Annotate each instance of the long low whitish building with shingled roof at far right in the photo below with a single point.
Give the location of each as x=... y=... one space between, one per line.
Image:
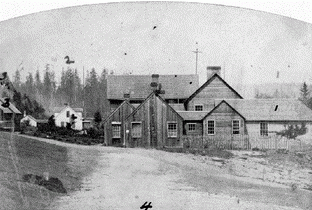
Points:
x=267 y=117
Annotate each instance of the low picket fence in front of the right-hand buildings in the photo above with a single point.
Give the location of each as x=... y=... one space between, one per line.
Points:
x=245 y=142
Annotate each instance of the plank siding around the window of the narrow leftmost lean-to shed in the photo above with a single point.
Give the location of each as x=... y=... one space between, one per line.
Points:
x=119 y=116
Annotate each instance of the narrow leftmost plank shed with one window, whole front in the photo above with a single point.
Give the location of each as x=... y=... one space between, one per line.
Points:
x=114 y=124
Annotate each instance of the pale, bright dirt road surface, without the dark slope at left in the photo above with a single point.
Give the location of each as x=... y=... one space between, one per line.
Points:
x=127 y=178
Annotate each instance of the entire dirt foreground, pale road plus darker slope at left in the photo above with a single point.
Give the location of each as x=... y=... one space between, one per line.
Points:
x=98 y=177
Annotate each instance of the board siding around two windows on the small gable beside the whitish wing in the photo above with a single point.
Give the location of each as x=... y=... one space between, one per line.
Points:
x=223 y=117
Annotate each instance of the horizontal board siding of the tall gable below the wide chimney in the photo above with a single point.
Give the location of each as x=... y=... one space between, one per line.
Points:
x=215 y=90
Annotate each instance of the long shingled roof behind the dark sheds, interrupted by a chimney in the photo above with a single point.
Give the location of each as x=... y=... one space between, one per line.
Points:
x=175 y=86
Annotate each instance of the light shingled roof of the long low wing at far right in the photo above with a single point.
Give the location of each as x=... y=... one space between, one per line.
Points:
x=271 y=109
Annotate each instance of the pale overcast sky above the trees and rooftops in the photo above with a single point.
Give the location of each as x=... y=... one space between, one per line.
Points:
x=145 y=38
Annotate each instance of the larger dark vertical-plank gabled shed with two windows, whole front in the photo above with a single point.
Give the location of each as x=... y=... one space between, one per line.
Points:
x=154 y=124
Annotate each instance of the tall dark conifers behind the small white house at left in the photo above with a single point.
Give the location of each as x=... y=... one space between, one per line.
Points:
x=41 y=91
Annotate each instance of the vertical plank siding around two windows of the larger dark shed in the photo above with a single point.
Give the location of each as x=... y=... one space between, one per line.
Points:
x=154 y=115
